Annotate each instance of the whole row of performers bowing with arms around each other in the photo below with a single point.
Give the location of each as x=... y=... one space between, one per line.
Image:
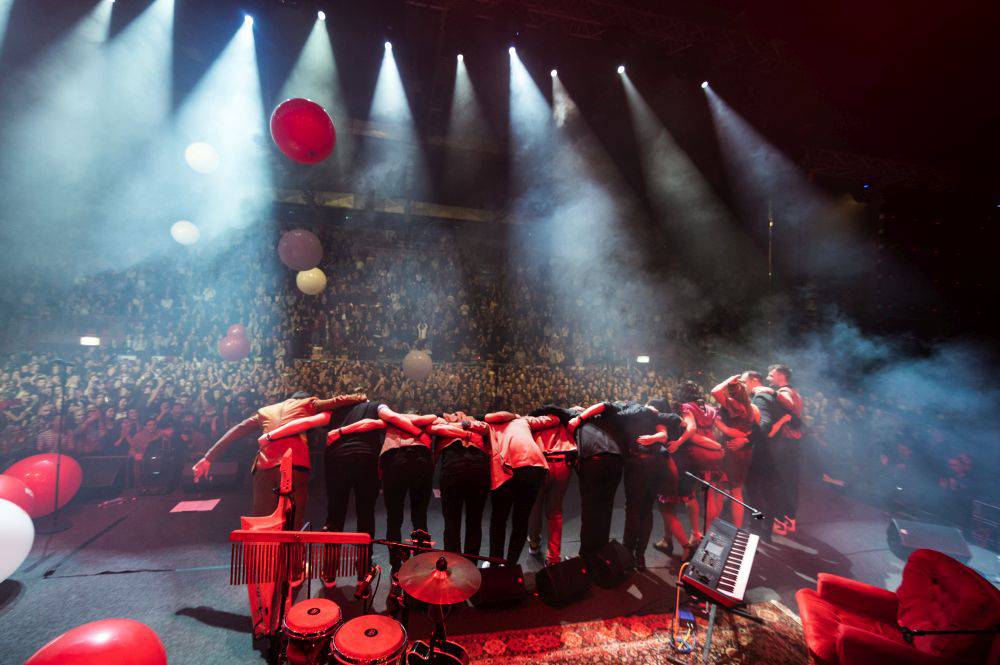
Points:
x=522 y=464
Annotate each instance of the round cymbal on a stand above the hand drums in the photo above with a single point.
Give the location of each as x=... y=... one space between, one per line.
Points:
x=440 y=578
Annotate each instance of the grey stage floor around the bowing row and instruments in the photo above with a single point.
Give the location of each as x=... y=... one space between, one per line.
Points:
x=169 y=570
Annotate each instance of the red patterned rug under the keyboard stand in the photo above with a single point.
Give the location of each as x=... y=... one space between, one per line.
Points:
x=645 y=639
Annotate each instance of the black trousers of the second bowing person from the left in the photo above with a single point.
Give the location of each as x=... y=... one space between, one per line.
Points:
x=348 y=472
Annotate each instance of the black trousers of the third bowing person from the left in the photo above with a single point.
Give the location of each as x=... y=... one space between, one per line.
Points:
x=406 y=471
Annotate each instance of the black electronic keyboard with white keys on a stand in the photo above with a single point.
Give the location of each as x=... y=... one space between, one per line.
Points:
x=720 y=568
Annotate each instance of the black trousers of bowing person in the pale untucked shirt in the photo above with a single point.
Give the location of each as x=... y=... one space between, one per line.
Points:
x=514 y=499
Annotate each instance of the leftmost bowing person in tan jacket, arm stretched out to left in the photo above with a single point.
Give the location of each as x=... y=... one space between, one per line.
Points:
x=265 y=466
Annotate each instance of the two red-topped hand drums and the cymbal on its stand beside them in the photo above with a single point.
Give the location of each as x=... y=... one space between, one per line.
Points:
x=316 y=635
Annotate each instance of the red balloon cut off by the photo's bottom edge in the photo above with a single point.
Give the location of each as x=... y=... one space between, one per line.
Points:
x=104 y=641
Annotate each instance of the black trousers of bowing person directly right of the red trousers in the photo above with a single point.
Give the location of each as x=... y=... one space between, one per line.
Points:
x=599 y=478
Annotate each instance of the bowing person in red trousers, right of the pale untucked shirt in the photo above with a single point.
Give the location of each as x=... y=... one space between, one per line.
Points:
x=559 y=447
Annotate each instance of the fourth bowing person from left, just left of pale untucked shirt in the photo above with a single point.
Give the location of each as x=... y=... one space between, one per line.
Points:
x=464 y=480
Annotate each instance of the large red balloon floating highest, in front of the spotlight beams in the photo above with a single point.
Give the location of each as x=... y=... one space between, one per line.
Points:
x=302 y=130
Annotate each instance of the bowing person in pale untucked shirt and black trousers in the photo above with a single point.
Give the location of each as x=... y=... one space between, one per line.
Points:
x=518 y=469
